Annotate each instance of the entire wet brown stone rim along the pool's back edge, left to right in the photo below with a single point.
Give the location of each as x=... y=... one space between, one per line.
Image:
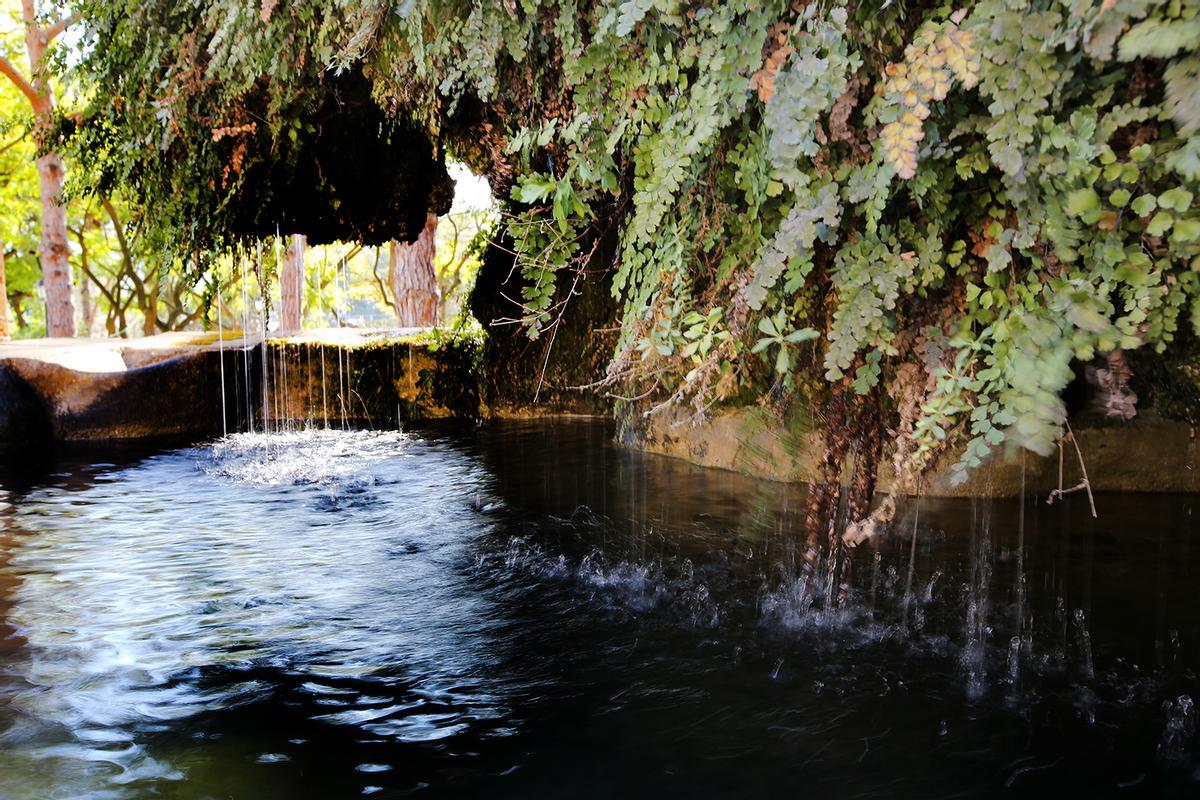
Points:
x=172 y=389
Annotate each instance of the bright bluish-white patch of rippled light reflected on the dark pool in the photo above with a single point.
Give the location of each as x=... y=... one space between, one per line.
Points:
x=321 y=567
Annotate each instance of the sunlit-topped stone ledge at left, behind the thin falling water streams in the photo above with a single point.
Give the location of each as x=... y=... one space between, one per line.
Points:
x=188 y=392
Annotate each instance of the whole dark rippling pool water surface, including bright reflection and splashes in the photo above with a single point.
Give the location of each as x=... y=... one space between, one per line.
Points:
x=524 y=610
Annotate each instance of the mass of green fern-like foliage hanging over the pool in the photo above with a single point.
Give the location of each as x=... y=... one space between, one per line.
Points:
x=937 y=208
